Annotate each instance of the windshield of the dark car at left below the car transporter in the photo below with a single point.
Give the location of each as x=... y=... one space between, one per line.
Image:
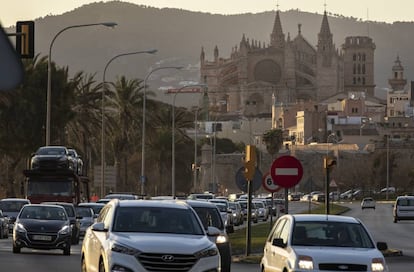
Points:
x=43 y=213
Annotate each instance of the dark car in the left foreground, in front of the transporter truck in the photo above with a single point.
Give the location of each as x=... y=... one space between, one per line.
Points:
x=41 y=226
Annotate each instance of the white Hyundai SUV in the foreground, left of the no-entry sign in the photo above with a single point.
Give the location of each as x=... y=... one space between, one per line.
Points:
x=149 y=235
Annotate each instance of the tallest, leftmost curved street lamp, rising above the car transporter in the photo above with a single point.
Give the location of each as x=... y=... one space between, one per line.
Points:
x=49 y=73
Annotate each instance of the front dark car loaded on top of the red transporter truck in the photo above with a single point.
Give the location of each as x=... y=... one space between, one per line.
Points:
x=52 y=158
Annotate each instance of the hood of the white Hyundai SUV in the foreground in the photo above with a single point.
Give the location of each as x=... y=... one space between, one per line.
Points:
x=159 y=242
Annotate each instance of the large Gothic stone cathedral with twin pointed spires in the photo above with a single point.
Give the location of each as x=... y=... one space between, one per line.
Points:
x=286 y=71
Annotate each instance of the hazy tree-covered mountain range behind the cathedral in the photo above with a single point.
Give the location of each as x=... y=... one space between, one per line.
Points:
x=179 y=35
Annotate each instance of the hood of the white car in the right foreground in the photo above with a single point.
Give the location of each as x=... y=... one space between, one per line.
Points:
x=339 y=254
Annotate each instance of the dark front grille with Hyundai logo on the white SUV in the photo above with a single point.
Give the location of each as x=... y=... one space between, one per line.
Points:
x=166 y=262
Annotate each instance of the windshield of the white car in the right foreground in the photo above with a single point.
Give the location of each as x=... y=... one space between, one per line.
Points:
x=335 y=234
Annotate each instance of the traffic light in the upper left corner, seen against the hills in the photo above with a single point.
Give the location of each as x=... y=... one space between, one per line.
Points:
x=25 y=39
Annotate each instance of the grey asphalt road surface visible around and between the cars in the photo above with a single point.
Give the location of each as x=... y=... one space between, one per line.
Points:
x=378 y=221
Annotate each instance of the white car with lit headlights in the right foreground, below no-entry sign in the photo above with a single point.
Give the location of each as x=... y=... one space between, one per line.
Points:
x=318 y=242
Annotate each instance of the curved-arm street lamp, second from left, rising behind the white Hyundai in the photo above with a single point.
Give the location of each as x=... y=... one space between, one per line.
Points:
x=151 y=51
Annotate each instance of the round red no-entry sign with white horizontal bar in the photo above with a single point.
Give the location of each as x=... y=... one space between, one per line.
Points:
x=286 y=171
